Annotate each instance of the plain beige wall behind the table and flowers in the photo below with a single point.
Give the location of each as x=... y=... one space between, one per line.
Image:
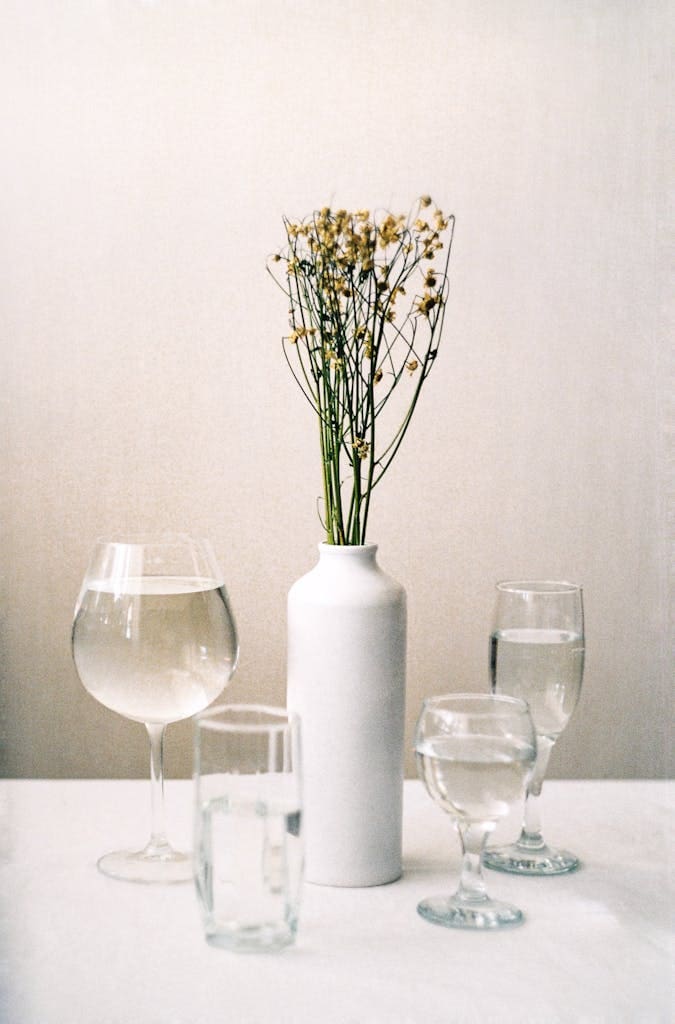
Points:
x=149 y=153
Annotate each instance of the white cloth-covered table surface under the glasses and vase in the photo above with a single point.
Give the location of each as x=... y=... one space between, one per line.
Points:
x=79 y=948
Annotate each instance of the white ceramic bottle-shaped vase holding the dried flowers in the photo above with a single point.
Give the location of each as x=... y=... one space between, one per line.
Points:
x=347 y=678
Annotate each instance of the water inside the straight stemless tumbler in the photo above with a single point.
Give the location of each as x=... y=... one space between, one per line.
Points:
x=248 y=867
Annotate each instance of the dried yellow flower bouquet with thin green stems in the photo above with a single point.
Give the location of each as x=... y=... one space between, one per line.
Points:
x=348 y=277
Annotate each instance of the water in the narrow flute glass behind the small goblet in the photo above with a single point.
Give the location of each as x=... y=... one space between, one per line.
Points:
x=542 y=667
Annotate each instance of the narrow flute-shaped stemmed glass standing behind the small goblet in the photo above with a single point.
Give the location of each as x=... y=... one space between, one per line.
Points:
x=537 y=654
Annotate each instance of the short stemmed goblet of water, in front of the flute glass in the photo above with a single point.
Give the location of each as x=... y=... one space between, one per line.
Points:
x=475 y=755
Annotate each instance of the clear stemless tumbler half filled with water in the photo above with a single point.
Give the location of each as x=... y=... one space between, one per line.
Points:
x=248 y=826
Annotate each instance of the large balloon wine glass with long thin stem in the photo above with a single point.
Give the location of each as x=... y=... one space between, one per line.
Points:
x=154 y=639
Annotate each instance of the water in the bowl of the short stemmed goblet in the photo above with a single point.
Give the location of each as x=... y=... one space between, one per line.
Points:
x=476 y=779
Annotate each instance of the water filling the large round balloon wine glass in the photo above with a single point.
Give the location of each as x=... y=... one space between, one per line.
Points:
x=158 y=653
